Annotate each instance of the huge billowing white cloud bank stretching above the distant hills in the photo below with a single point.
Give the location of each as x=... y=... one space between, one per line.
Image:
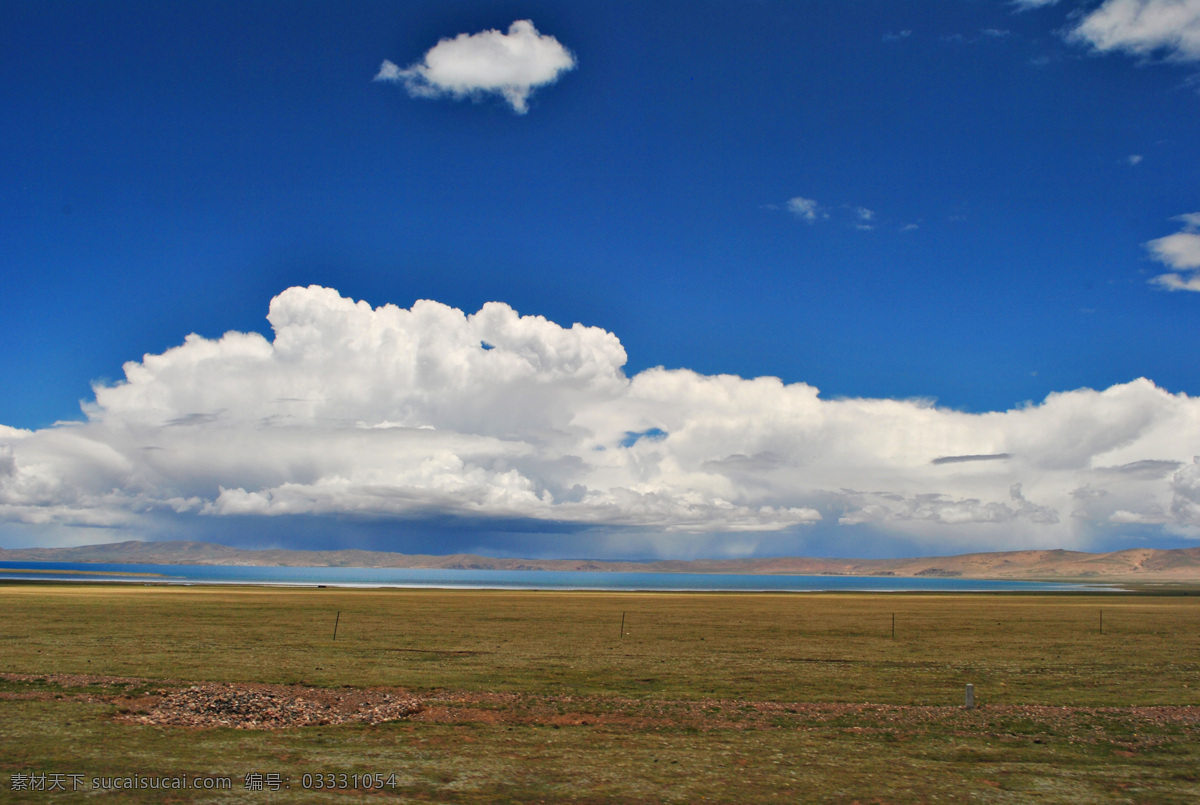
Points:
x=429 y=412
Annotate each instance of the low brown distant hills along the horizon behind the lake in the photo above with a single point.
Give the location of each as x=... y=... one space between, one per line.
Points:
x=1136 y=564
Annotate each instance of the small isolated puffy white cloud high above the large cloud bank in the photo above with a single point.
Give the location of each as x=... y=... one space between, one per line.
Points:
x=511 y=65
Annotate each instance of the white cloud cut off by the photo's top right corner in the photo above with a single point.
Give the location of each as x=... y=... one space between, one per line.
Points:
x=1144 y=28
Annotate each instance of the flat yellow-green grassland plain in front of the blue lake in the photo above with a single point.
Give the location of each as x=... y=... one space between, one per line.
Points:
x=541 y=698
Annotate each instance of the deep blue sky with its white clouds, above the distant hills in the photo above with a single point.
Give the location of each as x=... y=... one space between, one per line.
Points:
x=957 y=207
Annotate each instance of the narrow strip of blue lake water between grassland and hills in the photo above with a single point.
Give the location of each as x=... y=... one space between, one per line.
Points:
x=507 y=580
